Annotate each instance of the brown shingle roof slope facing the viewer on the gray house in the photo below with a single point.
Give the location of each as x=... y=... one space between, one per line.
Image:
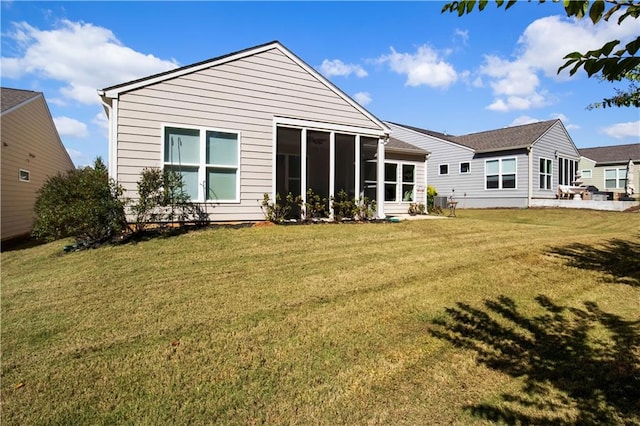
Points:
x=506 y=138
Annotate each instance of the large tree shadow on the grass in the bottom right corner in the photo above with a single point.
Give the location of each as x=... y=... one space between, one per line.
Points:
x=577 y=366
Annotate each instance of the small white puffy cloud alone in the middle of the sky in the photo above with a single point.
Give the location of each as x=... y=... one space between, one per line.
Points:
x=424 y=67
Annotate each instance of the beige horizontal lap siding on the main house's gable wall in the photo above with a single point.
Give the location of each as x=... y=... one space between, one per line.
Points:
x=244 y=96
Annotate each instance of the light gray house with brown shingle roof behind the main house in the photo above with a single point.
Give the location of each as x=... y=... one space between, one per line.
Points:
x=509 y=167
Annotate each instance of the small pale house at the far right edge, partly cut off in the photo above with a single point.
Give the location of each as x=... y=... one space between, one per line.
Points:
x=605 y=167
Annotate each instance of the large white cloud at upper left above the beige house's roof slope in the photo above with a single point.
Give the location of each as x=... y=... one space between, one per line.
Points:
x=82 y=56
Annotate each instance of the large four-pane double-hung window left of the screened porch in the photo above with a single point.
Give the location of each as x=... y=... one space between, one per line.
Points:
x=206 y=159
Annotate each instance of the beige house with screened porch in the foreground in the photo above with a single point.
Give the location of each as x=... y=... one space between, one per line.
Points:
x=239 y=126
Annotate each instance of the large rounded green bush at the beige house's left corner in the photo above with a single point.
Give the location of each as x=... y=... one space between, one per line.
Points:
x=83 y=203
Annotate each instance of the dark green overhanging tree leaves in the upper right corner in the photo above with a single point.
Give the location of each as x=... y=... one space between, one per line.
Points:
x=612 y=61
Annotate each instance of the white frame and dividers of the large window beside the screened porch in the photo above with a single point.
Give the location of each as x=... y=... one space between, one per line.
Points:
x=202 y=164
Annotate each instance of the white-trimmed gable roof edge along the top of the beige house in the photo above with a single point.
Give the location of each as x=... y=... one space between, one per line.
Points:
x=114 y=91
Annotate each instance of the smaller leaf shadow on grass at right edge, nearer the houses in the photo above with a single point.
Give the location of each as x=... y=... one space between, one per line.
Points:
x=619 y=258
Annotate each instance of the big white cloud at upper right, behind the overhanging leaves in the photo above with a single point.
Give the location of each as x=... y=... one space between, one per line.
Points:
x=516 y=83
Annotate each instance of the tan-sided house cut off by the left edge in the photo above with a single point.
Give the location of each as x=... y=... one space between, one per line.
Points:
x=31 y=152
